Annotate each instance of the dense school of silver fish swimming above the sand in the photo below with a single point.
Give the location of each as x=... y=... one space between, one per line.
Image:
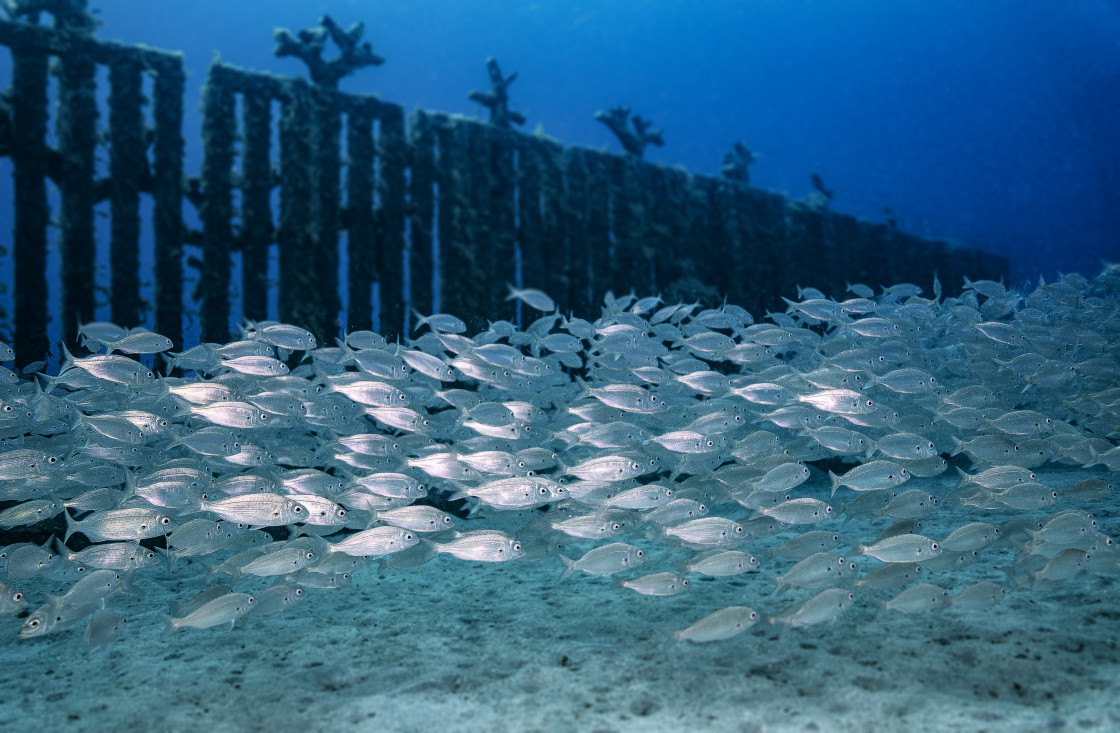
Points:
x=809 y=449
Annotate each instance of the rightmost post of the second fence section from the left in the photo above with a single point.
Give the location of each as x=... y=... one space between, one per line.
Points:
x=393 y=152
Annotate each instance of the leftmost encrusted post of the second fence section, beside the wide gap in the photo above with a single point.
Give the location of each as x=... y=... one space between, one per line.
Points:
x=219 y=132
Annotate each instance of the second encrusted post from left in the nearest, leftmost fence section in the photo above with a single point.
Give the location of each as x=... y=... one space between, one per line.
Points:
x=78 y=141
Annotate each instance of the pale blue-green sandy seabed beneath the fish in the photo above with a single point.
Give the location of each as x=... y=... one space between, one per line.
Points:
x=455 y=646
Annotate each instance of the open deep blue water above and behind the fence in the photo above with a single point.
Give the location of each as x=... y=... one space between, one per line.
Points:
x=993 y=123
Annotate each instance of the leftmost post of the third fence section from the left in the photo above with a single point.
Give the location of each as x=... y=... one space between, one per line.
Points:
x=423 y=147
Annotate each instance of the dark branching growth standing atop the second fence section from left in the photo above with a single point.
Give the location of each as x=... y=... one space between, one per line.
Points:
x=309 y=45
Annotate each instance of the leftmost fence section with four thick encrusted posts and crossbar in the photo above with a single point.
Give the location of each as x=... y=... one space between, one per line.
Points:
x=72 y=168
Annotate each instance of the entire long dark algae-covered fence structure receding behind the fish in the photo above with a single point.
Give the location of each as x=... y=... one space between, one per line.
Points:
x=437 y=212
